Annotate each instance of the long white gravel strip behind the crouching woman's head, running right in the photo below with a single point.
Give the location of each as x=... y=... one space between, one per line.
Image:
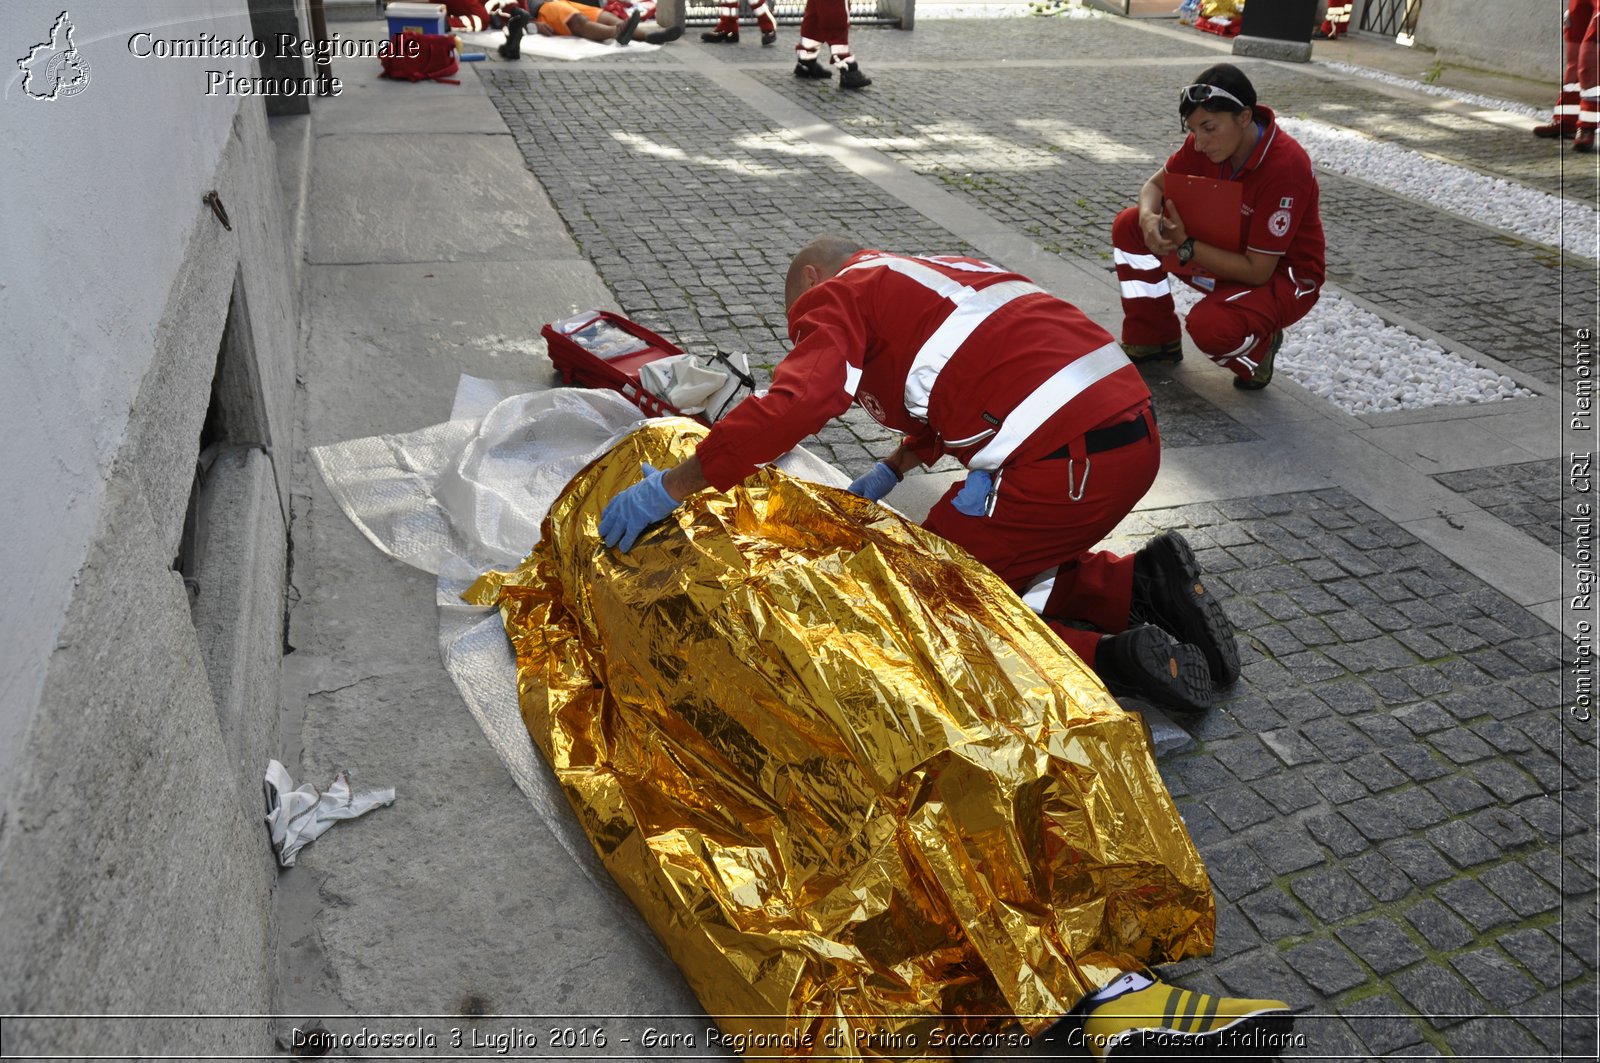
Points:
x=1495 y=203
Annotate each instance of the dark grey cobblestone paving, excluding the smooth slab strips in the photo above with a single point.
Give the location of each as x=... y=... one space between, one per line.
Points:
x=1394 y=806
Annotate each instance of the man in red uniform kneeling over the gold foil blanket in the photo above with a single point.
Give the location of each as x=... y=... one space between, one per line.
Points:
x=1041 y=406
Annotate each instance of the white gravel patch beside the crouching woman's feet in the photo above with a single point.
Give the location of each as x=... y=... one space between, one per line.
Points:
x=1362 y=364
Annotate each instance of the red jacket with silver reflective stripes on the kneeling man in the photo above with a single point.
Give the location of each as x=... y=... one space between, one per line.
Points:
x=945 y=350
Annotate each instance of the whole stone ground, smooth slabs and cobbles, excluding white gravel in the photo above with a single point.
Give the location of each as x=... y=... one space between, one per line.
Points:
x=1396 y=804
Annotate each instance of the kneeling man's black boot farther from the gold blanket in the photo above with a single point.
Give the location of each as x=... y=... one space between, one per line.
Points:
x=1169 y=593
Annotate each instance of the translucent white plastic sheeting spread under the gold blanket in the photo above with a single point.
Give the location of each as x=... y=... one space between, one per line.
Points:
x=470 y=495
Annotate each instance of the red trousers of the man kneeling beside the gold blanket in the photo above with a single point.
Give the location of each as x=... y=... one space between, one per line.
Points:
x=1047 y=518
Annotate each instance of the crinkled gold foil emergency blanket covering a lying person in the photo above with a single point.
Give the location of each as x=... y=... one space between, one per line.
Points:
x=870 y=803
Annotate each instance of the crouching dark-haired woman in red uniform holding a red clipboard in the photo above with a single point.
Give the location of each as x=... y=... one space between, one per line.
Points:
x=1252 y=295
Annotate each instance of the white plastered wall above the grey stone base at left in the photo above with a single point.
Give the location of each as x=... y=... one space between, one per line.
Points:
x=89 y=252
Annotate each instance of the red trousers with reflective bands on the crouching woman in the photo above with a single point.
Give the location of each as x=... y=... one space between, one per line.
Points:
x=1231 y=326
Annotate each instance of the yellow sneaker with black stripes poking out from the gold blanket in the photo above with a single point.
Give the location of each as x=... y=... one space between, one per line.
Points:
x=1166 y=1022
